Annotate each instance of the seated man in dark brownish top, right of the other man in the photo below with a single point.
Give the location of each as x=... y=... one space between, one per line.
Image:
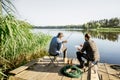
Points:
x=92 y=53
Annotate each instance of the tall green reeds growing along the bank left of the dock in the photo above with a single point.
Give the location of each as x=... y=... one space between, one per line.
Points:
x=18 y=45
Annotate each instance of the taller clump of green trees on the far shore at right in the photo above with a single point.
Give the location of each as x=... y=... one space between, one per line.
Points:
x=105 y=23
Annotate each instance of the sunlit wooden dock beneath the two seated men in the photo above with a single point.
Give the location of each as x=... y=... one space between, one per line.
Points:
x=40 y=70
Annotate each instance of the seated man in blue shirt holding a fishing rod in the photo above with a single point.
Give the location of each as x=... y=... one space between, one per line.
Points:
x=56 y=45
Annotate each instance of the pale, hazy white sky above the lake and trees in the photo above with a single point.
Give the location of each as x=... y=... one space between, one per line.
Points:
x=65 y=12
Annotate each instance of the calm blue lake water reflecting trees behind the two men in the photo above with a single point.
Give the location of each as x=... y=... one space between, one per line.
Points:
x=108 y=42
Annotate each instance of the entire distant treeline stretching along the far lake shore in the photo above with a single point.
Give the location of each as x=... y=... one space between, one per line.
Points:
x=105 y=23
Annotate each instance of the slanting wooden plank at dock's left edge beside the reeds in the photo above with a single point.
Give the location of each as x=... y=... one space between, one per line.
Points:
x=20 y=69
